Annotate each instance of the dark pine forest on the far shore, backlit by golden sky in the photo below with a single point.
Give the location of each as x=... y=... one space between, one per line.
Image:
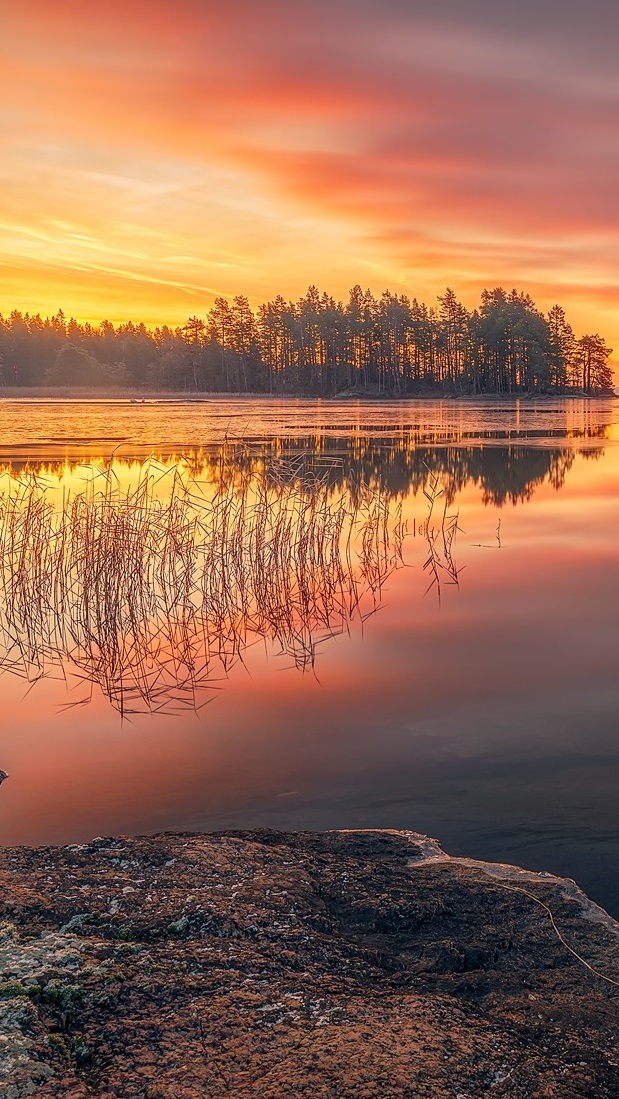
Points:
x=390 y=346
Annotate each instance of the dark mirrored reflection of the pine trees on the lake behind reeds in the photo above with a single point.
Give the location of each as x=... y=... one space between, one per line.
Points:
x=390 y=464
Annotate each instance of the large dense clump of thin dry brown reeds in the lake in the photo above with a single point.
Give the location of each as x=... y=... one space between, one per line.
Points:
x=152 y=594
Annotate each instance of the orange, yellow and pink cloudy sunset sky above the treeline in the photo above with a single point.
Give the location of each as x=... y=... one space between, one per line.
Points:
x=156 y=156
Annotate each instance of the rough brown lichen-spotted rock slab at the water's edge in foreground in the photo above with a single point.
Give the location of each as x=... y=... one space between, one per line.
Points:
x=264 y=965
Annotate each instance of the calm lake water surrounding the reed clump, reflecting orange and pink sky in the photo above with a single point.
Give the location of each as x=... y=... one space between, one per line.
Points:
x=488 y=718
